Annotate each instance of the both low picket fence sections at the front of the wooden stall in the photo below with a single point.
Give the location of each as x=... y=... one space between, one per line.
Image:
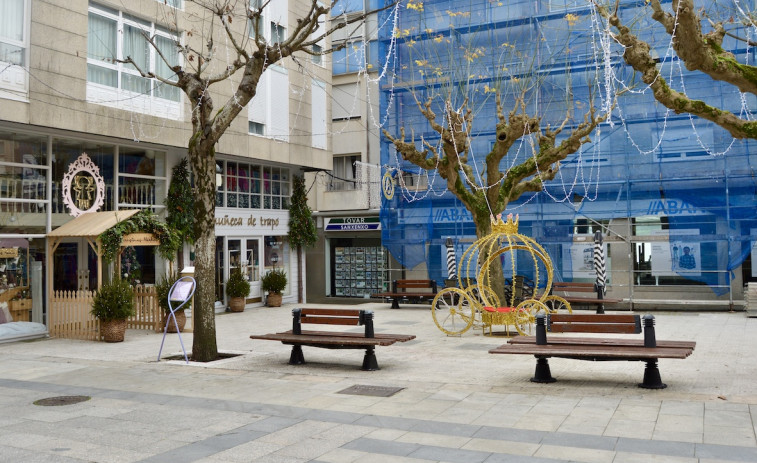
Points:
x=70 y=315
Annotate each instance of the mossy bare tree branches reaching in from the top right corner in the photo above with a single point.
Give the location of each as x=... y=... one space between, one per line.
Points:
x=685 y=22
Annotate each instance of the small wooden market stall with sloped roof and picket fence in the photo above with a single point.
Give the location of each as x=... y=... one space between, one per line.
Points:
x=69 y=311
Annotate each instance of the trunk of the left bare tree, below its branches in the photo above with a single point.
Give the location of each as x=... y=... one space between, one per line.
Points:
x=202 y=159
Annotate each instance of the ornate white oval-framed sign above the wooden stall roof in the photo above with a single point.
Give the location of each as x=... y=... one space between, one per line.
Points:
x=83 y=187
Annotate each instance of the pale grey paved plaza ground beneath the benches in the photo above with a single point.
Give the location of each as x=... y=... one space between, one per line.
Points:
x=456 y=402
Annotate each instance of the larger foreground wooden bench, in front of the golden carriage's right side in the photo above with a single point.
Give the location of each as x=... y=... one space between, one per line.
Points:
x=647 y=350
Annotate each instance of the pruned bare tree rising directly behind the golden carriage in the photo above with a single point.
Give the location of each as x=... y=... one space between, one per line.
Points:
x=477 y=79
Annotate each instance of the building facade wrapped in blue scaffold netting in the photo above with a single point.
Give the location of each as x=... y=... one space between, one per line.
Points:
x=672 y=194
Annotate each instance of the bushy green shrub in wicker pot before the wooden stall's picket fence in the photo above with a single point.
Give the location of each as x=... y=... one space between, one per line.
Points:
x=112 y=305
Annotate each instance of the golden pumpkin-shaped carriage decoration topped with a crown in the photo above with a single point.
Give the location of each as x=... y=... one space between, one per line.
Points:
x=456 y=309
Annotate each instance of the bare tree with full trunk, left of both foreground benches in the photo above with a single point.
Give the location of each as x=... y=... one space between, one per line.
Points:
x=238 y=23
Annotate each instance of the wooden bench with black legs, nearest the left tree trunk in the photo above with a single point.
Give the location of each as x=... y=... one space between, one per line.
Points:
x=334 y=339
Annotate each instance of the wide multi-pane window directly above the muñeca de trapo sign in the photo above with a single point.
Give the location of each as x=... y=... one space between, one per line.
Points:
x=249 y=186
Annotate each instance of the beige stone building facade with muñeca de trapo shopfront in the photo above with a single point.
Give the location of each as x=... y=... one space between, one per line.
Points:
x=65 y=92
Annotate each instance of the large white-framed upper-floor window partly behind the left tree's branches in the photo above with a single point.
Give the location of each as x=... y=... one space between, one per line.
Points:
x=112 y=36
